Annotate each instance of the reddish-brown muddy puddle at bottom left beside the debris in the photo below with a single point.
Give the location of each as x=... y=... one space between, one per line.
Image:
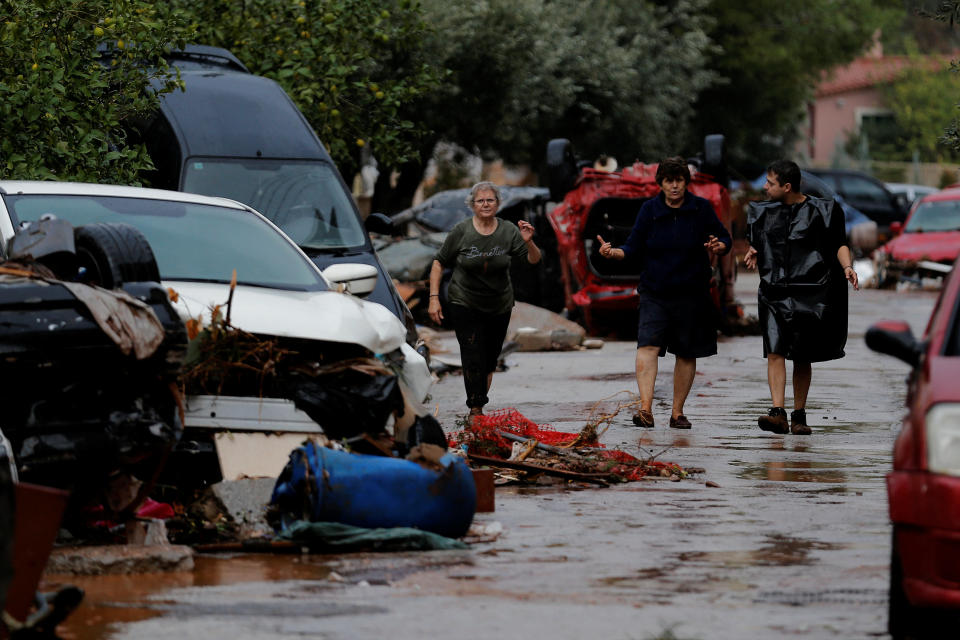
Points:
x=114 y=599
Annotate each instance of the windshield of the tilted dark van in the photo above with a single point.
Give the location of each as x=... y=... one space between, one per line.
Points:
x=305 y=199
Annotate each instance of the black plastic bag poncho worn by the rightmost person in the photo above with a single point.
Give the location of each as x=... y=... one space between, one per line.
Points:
x=803 y=292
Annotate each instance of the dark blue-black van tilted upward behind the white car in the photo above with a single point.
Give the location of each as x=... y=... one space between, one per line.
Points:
x=238 y=135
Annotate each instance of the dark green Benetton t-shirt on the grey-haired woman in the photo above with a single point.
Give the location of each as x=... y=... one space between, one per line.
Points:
x=481 y=265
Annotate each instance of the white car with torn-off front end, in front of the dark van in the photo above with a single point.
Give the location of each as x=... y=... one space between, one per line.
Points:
x=198 y=242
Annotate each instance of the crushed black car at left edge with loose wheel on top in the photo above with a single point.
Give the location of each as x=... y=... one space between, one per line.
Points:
x=88 y=372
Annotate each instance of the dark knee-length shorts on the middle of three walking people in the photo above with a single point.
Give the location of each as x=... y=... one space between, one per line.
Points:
x=685 y=325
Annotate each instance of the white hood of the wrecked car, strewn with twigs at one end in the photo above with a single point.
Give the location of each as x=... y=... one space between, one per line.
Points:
x=314 y=315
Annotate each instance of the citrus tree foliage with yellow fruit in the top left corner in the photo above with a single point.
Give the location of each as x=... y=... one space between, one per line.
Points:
x=62 y=112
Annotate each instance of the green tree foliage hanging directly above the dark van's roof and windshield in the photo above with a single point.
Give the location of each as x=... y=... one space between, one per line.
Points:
x=349 y=65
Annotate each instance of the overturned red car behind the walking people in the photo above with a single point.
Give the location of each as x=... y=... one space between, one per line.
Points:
x=598 y=202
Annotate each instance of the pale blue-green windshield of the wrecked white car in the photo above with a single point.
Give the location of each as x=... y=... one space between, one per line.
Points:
x=192 y=242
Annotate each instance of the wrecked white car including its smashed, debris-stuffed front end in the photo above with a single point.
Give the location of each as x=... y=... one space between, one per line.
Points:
x=337 y=363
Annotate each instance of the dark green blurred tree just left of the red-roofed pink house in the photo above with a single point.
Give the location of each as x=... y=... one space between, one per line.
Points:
x=772 y=55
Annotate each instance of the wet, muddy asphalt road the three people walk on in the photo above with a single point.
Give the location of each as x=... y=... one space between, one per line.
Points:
x=793 y=543
